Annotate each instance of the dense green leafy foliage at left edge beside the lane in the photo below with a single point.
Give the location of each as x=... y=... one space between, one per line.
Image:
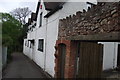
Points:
x=11 y=32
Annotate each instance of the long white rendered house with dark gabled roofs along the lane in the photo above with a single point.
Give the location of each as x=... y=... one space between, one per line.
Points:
x=46 y=32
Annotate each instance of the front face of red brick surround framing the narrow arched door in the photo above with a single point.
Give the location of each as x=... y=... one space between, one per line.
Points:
x=57 y=58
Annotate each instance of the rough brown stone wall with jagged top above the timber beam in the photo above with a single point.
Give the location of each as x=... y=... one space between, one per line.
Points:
x=101 y=18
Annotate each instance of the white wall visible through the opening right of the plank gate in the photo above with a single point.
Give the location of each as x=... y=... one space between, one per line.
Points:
x=110 y=55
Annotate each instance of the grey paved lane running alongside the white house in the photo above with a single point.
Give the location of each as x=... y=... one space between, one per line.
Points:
x=22 y=67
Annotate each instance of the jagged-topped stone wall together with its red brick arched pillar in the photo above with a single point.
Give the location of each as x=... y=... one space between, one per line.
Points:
x=102 y=18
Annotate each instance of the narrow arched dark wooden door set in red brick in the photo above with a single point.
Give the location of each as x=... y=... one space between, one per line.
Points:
x=62 y=51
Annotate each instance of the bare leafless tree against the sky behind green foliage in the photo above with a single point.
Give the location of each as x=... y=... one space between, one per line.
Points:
x=21 y=14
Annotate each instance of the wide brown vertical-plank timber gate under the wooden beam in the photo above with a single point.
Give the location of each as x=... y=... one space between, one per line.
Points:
x=90 y=60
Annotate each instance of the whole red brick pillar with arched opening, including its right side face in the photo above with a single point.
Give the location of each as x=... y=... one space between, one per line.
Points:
x=69 y=59
